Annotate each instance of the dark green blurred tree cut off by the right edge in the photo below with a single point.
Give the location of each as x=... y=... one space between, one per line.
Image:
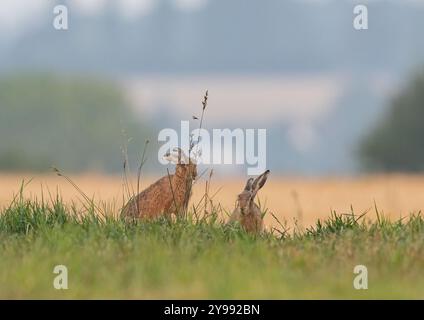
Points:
x=396 y=143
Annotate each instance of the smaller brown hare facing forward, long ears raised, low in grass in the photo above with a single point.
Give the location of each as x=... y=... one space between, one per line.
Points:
x=247 y=212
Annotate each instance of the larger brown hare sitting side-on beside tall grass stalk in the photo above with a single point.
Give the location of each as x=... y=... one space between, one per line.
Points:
x=168 y=195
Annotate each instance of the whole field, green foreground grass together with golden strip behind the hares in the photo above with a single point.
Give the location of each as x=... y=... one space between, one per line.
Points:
x=204 y=258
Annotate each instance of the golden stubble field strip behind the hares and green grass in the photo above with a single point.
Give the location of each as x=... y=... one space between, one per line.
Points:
x=289 y=198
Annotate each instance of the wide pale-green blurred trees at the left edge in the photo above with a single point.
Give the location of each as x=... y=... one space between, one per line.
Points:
x=75 y=123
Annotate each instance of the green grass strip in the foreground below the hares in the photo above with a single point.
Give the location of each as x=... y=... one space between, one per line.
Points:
x=203 y=259
